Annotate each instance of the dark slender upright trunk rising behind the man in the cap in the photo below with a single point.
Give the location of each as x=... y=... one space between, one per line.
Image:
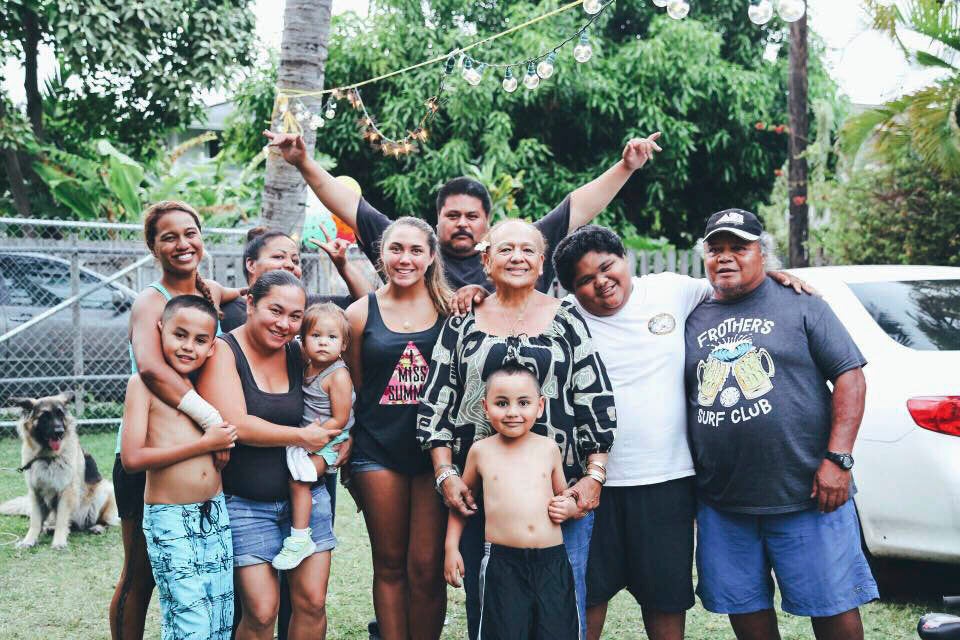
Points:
x=799 y=134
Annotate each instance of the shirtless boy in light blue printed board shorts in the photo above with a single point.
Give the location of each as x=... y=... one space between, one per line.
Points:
x=185 y=518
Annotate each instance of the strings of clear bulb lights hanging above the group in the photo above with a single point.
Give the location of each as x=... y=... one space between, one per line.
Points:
x=293 y=115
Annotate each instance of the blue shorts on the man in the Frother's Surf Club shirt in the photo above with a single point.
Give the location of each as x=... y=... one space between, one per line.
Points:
x=816 y=557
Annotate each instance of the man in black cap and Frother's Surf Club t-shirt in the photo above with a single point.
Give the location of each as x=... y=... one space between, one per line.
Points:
x=772 y=445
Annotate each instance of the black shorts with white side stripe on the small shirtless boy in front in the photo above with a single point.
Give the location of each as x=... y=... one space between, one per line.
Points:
x=527 y=594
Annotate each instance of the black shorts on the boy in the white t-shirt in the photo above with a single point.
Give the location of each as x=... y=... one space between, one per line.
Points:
x=643 y=542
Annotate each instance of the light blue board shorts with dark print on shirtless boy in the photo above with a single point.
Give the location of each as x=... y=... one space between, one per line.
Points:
x=191 y=554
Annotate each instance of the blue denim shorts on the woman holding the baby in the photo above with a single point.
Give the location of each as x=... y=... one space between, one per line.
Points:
x=259 y=528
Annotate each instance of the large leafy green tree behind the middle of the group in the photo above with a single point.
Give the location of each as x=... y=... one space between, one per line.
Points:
x=701 y=81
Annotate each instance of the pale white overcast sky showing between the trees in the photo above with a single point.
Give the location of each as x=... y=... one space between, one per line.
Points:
x=867 y=66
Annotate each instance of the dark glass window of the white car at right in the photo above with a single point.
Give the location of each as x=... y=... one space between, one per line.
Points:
x=920 y=314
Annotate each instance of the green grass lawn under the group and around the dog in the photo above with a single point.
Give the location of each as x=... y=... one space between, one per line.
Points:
x=65 y=595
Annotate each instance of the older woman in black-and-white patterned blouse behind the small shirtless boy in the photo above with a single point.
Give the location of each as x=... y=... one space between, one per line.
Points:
x=551 y=338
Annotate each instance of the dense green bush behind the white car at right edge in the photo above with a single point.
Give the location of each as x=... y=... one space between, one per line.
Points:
x=902 y=213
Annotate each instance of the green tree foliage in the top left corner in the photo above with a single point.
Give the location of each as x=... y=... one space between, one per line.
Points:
x=126 y=70
